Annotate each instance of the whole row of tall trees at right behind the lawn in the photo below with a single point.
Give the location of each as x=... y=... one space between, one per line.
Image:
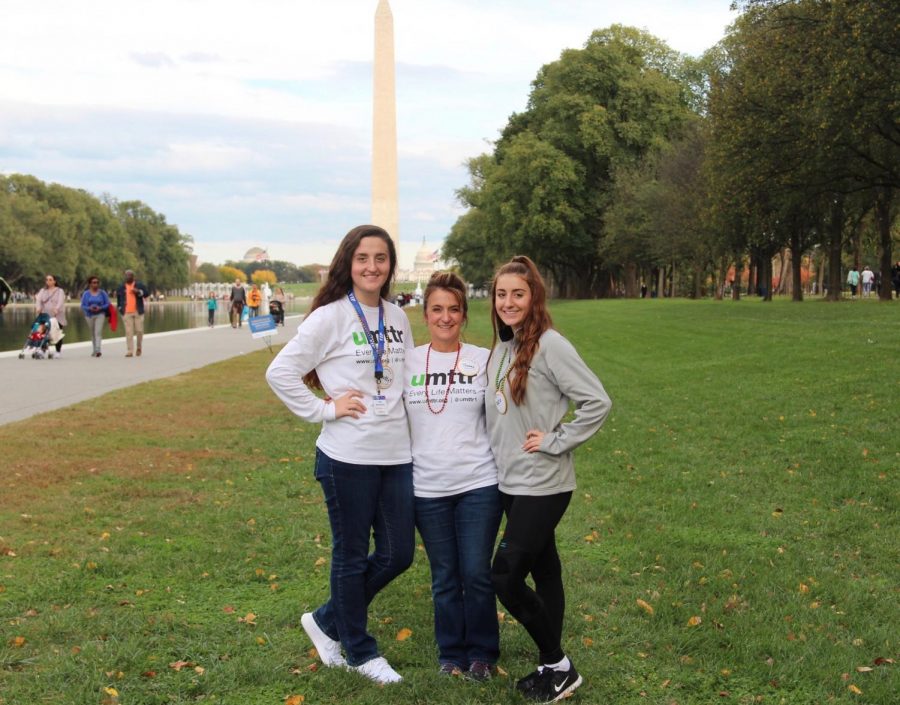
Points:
x=635 y=165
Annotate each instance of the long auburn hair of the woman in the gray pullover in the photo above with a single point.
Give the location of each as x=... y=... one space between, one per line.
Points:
x=537 y=321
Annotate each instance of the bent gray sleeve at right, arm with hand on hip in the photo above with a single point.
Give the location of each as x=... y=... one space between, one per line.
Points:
x=576 y=381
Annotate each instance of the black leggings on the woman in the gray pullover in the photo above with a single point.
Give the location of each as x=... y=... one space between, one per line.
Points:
x=528 y=546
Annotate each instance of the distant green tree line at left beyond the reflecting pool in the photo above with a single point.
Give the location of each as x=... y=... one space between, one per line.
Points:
x=67 y=232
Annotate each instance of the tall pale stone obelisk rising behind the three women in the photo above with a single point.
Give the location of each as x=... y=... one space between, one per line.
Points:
x=385 y=210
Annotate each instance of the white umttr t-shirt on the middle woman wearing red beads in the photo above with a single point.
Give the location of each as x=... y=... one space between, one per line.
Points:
x=451 y=452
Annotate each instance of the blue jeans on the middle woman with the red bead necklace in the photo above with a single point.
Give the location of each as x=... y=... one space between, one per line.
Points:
x=459 y=533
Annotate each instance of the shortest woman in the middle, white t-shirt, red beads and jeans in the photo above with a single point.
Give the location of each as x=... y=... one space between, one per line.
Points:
x=457 y=502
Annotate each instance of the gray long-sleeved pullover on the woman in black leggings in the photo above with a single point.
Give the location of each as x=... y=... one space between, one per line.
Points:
x=557 y=376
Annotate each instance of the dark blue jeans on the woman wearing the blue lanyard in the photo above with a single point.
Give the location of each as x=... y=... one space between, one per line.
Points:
x=363 y=500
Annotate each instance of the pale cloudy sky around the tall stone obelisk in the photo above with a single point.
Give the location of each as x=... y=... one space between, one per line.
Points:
x=249 y=123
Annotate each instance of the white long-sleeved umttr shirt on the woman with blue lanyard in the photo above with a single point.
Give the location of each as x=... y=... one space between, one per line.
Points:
x=332 y=341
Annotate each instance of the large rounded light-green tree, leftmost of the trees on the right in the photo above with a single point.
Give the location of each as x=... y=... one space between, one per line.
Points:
x=546 y=187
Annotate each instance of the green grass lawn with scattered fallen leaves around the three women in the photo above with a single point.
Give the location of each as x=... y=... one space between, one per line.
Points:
x=744 y=490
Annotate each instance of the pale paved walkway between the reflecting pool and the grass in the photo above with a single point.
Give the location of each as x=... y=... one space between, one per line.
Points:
x=29 y=387
